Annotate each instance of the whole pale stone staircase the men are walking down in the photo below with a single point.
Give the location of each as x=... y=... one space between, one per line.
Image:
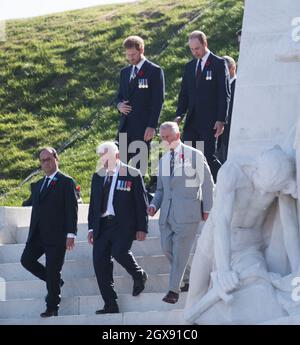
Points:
x=22 y=295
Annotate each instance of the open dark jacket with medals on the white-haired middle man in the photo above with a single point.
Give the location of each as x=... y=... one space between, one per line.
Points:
x=130 y=206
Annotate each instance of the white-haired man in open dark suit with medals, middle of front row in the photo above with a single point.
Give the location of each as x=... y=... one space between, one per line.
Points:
x=117 y=216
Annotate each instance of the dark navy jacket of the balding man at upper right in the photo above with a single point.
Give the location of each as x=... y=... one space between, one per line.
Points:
x=208 y=102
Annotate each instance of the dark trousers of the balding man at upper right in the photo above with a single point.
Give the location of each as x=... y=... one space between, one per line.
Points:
x=207 y=137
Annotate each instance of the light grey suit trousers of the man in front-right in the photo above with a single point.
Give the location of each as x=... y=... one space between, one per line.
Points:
x=177 y=241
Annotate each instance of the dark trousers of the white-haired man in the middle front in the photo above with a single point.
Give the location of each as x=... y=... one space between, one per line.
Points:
x=110 y=244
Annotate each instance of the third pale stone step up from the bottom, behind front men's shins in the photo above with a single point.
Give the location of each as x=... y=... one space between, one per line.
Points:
x=81 y=286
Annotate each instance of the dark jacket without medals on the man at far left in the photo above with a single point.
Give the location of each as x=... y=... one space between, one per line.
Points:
x=54 y=215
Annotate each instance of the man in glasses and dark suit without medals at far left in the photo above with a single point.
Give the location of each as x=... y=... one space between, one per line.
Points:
x=53 y=227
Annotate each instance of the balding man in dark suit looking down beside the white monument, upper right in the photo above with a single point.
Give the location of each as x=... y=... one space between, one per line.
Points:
x=204 y=96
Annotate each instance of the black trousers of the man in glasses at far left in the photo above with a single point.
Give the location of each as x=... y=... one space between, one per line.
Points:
x=51 y=272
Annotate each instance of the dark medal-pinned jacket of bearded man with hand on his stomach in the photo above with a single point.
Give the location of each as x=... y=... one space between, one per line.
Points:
x=146 y=102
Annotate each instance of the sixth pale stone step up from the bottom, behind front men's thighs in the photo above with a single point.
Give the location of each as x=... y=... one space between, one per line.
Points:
x=22 y=231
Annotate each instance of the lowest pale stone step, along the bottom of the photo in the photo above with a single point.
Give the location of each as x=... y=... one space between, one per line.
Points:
x=170 y=317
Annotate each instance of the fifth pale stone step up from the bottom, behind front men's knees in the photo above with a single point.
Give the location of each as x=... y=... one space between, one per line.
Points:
x=11 y=253
